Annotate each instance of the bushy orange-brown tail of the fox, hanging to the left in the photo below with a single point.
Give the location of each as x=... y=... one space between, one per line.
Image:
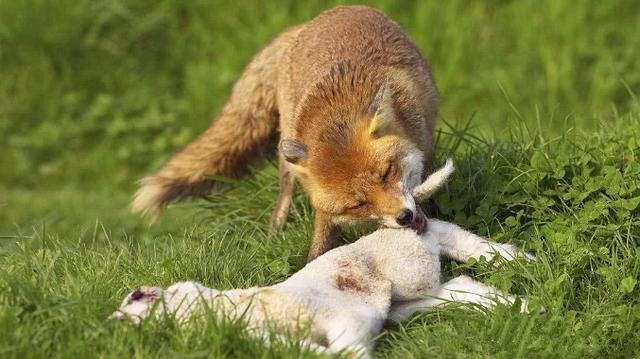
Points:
x=246 y=124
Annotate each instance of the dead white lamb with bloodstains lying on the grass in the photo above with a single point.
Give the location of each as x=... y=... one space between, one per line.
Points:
x=345 y=295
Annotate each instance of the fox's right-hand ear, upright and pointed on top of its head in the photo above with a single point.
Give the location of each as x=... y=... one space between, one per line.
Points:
x=384 y=120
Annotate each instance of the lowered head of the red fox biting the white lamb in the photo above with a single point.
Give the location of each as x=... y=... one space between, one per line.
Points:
x=357 y=164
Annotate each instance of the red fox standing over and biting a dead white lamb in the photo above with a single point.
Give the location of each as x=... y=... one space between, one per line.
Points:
x=354 y=104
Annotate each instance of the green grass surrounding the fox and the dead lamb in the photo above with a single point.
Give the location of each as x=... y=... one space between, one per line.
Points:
x=539 y=109
